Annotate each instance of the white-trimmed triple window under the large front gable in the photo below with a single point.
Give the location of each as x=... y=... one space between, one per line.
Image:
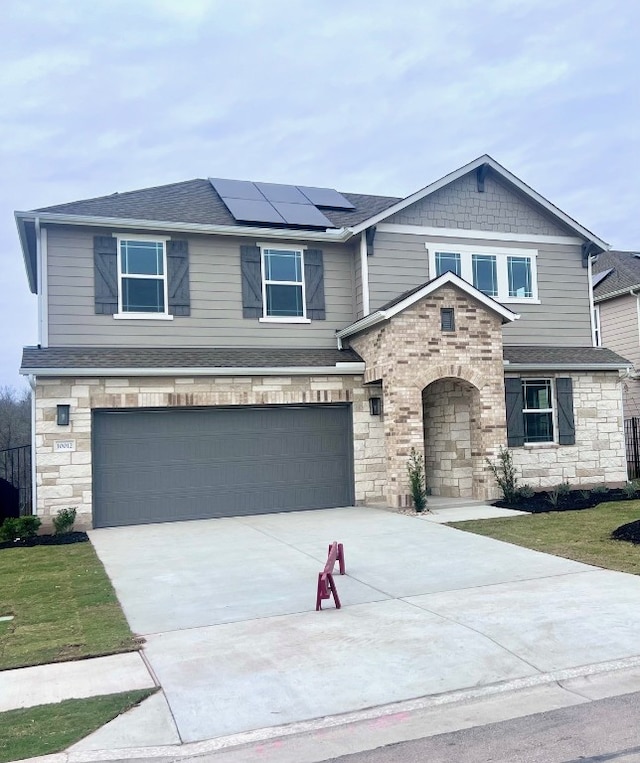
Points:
x=508 y=275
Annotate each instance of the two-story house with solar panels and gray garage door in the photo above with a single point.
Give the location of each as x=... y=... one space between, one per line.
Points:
x=216 y=347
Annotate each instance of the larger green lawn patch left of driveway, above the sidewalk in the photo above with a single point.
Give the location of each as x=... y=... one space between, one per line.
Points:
x=64 y=605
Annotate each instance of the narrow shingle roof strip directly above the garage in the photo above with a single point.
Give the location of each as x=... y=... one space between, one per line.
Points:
x=181 y=357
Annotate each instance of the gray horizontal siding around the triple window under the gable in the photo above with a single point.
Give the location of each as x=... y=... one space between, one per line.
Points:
x=401 y=262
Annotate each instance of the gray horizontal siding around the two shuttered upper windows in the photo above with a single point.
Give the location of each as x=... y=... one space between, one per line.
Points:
x=216 y=302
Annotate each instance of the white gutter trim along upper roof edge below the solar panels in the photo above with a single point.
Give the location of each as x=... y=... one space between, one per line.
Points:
x=338 y=235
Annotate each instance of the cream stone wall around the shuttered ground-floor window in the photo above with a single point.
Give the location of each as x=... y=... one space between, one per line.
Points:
x=599 y=452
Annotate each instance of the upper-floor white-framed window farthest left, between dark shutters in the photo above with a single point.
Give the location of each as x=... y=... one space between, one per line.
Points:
x=142 y=276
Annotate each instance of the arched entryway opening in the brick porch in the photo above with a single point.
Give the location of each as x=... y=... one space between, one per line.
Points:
x=451 y=412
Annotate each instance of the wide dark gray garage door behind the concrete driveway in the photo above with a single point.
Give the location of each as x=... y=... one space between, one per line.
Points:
x=163 y=465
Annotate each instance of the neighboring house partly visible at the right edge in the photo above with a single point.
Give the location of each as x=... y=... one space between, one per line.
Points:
x=616 y=296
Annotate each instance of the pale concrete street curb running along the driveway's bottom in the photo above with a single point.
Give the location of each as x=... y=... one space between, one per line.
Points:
x=174 y=752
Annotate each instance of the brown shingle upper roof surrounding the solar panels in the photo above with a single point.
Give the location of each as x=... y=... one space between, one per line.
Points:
x=195 y=201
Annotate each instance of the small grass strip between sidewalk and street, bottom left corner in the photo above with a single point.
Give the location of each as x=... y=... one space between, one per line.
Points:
x=45 y=729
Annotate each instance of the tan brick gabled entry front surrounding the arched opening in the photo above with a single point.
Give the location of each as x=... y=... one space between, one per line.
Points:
x=409 y=352
